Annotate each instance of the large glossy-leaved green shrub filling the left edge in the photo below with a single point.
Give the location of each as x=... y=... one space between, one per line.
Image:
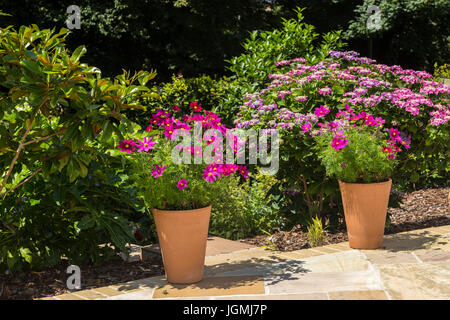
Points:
x=57 y=115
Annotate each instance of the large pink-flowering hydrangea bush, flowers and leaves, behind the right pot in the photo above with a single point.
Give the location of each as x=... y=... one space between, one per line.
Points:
x=302 y=98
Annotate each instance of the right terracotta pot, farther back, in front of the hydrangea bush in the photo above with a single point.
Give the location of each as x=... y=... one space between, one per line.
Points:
x=365 y=209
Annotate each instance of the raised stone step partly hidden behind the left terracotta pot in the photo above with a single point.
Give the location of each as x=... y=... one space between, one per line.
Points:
x=214 y=246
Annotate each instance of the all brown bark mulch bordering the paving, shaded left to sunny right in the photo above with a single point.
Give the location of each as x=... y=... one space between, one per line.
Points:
x=419 y=209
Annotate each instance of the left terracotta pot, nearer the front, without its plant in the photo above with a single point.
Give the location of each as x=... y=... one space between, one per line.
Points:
x=182 y=238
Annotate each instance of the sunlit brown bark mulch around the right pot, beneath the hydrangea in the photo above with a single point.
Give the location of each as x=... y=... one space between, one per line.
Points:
x=419 y=209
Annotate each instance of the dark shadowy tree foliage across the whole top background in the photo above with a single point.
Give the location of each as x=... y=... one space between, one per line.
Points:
x=197 y=36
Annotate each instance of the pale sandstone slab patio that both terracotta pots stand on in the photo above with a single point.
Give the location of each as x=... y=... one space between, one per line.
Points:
x=409 y=265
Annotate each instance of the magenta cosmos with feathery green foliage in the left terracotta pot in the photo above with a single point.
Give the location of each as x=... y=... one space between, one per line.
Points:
x=165 y=183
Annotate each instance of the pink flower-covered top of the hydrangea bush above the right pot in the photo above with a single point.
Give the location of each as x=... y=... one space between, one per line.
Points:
x=300 y=93
